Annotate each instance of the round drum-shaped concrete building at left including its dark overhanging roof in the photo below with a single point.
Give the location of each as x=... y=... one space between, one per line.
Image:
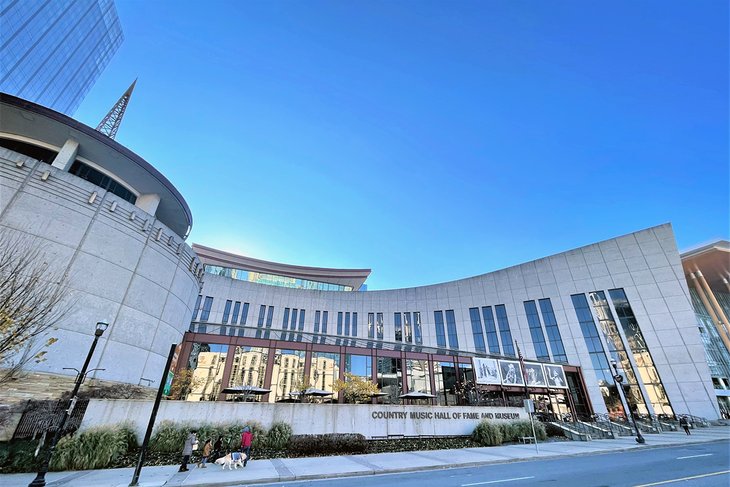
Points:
x=109 y=222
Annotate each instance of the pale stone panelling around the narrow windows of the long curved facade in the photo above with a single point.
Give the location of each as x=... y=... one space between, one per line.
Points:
x=645 y=264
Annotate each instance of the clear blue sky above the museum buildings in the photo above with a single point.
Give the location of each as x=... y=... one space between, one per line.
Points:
x=428 y=141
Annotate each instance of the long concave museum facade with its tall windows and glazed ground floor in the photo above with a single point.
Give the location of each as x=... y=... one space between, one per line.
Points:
x=623 y=299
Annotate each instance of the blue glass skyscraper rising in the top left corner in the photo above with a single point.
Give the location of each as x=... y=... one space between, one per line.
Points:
x=53 y=51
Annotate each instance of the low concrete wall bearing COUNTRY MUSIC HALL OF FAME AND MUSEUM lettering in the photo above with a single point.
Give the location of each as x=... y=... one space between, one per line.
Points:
x=369 y=420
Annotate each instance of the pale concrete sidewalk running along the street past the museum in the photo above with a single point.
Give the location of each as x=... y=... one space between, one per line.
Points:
x=277 y=470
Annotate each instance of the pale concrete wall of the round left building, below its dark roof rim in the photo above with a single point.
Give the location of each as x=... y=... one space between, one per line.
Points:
x=131 y=271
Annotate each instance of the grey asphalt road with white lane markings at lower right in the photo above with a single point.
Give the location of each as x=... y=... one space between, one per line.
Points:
x=705 y=464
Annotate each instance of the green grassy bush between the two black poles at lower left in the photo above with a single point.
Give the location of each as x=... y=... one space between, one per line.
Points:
x=93 y=448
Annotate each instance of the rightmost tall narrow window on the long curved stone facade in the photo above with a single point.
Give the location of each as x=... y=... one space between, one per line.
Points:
x=635 y=337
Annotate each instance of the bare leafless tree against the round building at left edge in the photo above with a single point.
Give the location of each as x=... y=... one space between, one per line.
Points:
x=30 y=303
